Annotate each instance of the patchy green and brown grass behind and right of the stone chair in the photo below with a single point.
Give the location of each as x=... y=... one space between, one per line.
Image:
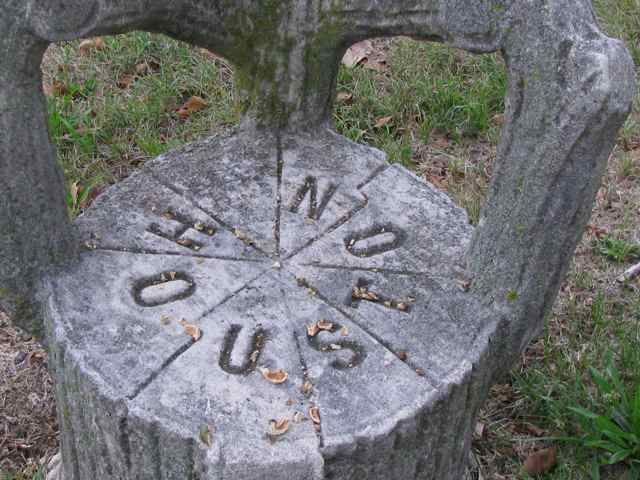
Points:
x=437 y=111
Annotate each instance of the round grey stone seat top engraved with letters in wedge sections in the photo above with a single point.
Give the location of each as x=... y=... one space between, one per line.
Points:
x=256 y=244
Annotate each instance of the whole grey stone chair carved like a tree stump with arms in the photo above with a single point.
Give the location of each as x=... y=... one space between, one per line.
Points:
x=279 y=302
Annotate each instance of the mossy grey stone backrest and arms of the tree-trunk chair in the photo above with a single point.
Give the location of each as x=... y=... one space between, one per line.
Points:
x=570 y=89
